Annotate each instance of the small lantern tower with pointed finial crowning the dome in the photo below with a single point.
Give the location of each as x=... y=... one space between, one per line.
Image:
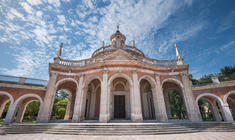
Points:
x=118 y=39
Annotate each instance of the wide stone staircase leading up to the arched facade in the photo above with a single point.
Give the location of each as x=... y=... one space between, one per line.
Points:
x=117 y=128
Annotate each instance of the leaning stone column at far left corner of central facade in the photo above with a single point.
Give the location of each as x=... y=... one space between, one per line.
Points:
x=45 y=112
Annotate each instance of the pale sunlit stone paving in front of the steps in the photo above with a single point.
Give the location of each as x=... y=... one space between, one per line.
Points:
x=188 y=136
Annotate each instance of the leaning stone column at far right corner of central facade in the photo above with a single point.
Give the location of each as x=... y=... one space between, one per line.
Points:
x=190 y=103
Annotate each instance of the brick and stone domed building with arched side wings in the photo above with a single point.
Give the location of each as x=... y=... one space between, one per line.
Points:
x=118 y=82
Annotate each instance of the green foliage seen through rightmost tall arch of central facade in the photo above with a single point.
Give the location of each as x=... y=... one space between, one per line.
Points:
x=177 y=107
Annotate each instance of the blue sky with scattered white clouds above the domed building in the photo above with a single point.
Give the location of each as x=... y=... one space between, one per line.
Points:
x=31 y=31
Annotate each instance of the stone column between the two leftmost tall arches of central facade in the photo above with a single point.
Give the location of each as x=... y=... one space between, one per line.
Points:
x=78 y=100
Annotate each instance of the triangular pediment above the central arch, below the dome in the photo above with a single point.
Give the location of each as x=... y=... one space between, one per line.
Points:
x=120 y=55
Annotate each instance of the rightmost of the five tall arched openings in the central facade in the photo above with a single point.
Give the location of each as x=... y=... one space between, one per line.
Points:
x=174 y=101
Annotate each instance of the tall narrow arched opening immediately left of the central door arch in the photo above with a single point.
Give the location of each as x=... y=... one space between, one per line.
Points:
x=92 y=104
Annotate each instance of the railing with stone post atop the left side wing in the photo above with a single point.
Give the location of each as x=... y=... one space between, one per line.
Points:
x=22 y=80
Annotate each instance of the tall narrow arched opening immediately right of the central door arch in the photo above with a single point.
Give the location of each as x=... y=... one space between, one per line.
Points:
x=147 y=102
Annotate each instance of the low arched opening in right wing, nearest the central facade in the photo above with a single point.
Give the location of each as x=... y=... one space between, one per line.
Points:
x=210 y=107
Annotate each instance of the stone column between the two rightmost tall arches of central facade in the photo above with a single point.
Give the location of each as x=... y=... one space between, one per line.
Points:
x=159 y=103
